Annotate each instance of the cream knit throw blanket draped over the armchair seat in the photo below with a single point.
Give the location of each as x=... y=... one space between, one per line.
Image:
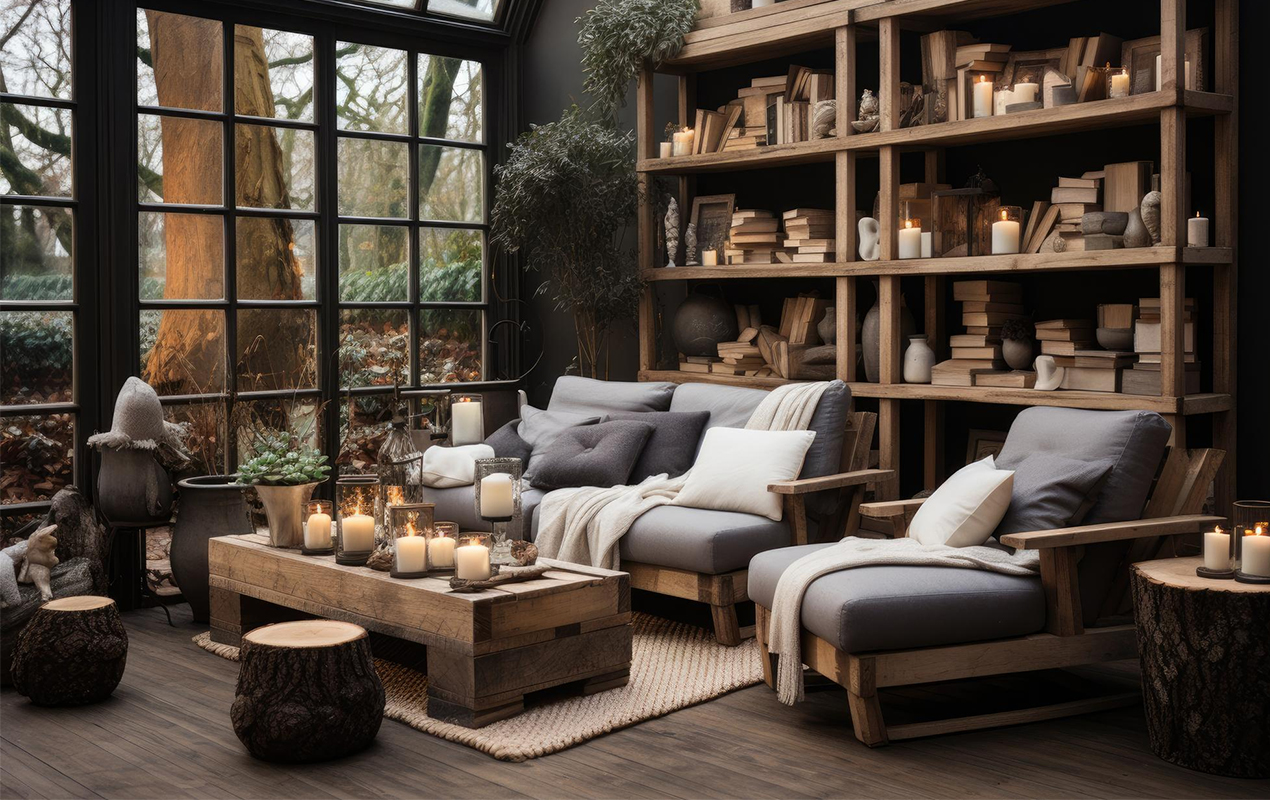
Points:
x=784 y=634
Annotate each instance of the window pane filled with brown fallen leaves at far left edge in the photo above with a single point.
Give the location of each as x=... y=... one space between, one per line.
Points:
x=39 y=457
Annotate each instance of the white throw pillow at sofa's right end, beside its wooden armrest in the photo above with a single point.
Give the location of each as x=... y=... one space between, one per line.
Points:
x=735 y=467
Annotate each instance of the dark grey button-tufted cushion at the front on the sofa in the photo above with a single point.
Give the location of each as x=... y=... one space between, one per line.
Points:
x=599 y=455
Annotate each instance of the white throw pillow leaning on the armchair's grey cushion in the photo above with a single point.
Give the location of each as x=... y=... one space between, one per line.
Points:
x=967 y=509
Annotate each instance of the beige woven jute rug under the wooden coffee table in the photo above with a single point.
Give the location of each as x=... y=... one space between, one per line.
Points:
x=674 y=666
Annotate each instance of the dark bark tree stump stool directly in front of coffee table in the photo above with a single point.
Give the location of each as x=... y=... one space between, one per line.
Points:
x=308 y=691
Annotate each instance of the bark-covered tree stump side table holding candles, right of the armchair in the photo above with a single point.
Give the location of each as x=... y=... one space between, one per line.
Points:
x=1206 y=667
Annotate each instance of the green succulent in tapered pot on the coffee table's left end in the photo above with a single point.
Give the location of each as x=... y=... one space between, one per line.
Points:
x=285 y=476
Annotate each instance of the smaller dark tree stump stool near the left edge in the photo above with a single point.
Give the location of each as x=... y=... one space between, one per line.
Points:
x=72 y=652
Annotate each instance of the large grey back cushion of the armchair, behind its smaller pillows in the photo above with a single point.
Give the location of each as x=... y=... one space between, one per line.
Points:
x=1133 y=441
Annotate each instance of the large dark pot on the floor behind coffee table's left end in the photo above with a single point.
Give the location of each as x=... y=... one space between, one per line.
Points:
x=210 y=506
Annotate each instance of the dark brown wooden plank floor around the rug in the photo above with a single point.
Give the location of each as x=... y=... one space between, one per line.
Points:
x=166 y=733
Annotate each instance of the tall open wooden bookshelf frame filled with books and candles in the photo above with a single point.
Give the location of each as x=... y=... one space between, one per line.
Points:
x=801 y=26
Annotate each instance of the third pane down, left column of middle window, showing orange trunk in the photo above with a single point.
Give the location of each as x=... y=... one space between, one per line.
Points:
x=181 y=256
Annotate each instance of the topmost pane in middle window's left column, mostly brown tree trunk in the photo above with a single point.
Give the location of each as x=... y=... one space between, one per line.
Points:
x=180 y=62
